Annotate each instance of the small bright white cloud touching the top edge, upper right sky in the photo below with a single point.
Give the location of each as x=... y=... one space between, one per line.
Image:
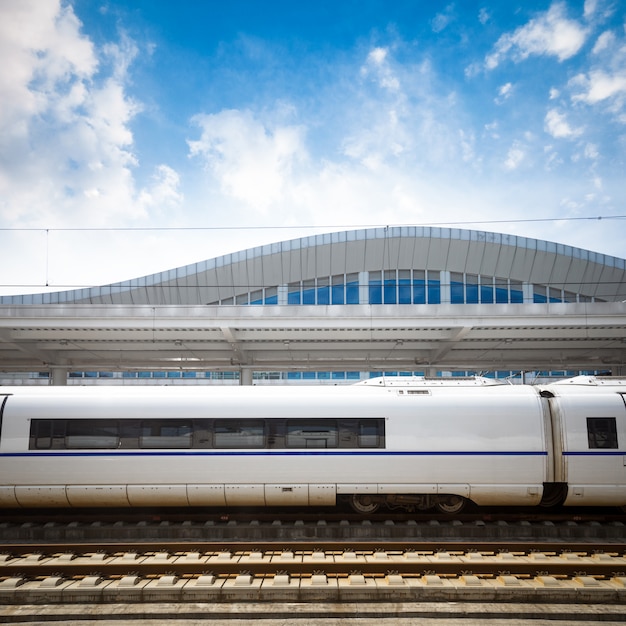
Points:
x=552 y=34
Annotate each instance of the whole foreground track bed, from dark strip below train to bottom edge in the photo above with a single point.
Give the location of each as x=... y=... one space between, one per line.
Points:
x=248 y=568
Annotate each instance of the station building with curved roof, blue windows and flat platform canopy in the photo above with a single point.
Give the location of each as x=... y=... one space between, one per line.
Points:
x=405 y=282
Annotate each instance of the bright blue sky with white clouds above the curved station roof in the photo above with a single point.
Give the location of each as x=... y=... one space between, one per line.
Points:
x=141 y=135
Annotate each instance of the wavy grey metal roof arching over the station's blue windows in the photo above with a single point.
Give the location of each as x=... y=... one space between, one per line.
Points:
x=483 y=253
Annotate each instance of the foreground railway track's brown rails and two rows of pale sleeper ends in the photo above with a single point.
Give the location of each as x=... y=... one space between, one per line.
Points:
x=304 y=572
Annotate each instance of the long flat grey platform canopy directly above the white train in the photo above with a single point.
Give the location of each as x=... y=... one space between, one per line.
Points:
x=527 y=337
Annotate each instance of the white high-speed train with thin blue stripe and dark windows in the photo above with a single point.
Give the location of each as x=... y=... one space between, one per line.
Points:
x=400 y=442
